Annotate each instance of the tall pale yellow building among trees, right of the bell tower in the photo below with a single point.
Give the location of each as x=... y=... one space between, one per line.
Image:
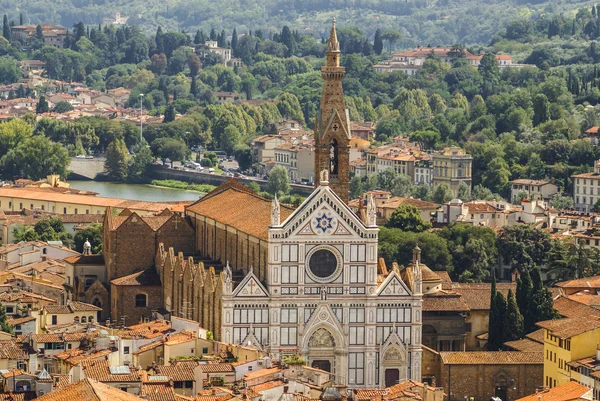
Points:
x=451 y=166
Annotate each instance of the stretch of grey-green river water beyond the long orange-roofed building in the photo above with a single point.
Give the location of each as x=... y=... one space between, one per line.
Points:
x=136 y=191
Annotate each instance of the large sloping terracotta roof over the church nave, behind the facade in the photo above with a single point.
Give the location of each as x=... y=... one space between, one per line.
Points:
x=236 y=206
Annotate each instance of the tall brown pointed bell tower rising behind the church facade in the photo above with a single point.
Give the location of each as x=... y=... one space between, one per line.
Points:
x=332 y=125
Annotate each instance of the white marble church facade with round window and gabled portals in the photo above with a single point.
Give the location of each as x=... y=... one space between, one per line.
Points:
x=323 y=300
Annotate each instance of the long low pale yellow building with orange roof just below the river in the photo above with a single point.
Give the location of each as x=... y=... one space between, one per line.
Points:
x=17 y=199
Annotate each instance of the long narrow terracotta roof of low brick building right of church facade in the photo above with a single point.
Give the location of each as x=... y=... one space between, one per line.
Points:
x=492 y=358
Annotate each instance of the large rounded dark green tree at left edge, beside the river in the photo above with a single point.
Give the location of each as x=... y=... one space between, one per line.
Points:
x=34 y=158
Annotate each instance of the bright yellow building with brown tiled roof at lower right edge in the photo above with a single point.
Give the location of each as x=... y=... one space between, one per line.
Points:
x=565 y=341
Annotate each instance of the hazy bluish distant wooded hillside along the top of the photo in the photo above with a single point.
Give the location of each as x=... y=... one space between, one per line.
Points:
x=421 y=22
